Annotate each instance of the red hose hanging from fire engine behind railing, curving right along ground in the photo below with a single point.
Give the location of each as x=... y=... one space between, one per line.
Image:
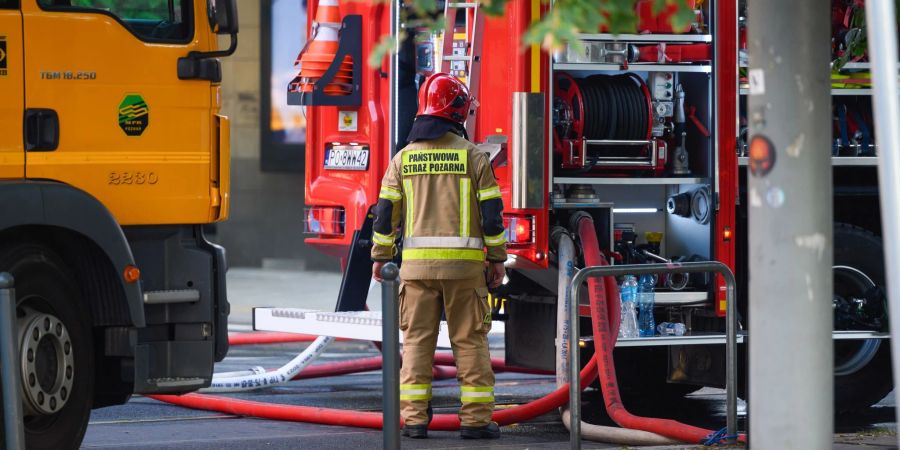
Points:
x=604 y=341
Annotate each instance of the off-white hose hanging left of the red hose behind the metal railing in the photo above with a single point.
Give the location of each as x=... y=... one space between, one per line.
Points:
x=613 y=435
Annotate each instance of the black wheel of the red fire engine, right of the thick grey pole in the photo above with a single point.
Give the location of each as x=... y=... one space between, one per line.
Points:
x=862 y=368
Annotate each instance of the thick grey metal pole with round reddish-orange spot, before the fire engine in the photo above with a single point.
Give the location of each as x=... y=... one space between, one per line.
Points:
x=790 y=225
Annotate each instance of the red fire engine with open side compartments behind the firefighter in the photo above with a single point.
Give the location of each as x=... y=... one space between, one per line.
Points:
x=644 y=132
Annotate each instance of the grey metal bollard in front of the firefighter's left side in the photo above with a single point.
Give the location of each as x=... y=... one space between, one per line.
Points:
x=390 y=326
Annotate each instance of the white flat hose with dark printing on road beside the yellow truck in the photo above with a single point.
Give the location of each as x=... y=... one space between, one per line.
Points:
x=258 y=378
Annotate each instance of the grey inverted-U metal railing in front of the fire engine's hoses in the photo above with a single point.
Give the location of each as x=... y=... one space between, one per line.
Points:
x=644 y=269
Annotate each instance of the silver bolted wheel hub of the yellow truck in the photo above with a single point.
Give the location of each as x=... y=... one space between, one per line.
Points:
x=48 y=362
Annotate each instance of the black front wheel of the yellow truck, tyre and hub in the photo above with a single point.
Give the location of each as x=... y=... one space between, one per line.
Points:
x=55 y=344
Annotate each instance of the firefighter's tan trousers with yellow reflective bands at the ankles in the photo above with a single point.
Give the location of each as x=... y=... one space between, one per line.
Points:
x=468 y=319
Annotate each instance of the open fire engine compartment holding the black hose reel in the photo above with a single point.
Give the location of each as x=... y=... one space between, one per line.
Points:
x=659 y=177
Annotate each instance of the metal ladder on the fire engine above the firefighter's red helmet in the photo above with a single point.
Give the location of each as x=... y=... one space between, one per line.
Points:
x=467 y=55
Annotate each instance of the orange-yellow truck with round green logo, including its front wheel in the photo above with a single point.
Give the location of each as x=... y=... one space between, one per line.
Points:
x=112 y=159
